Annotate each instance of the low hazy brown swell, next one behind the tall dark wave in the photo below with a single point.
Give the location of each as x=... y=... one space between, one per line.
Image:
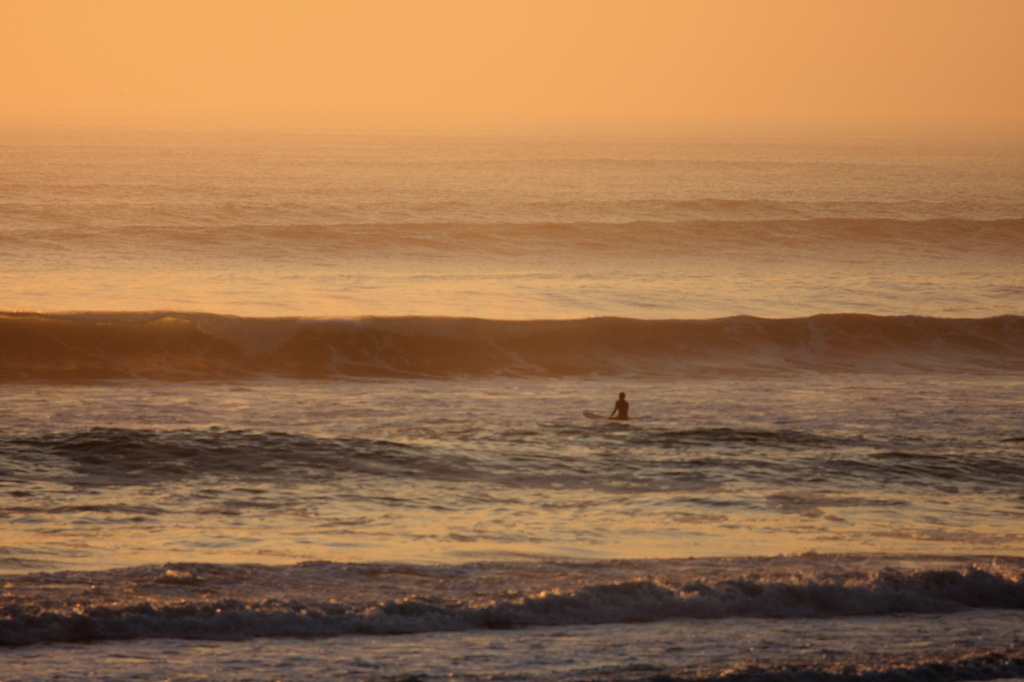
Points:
x=698 y=227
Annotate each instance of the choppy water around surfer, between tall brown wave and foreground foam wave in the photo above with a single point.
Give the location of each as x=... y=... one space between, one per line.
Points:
x=442 y=472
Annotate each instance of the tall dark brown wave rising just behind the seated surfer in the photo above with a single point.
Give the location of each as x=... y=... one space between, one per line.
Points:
x=202 y=347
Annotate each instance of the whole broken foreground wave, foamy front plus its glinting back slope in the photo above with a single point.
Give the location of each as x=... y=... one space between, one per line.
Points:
x=225 y=603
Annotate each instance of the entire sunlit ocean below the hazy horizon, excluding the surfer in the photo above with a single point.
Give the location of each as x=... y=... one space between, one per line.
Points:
x=306 y=407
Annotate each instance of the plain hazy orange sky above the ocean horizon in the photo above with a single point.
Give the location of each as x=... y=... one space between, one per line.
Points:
x=548 y=62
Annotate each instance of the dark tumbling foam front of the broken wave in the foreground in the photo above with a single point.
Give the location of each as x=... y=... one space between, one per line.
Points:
x=631 y=602
